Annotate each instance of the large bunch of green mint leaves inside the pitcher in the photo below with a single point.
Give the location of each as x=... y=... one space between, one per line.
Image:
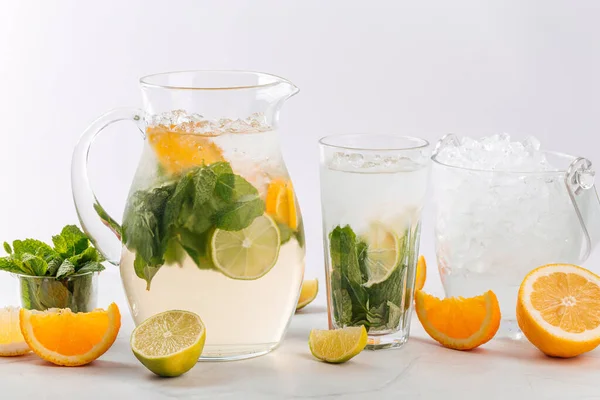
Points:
x=161 y=224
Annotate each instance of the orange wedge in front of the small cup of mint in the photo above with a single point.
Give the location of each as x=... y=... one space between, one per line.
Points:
x=70 y=339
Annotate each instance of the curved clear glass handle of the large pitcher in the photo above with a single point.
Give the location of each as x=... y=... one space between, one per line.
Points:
x=93 y=218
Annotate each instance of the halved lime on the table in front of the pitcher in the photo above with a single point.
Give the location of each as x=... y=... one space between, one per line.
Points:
x=169 y=343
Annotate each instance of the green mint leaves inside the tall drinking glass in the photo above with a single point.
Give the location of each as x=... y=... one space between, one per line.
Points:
x=378 y=306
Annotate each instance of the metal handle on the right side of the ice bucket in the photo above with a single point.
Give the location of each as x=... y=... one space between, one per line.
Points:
x=582 y=190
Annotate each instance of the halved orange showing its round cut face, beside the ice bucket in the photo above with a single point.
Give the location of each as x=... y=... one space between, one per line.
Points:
x=558 y=309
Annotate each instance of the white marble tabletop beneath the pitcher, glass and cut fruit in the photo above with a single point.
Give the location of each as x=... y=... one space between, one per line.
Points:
x=501 y=369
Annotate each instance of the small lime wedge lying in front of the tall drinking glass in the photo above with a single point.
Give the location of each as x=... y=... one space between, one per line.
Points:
x=338 y=345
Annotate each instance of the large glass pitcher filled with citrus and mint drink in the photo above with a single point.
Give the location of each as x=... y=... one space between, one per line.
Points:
x=211 y=224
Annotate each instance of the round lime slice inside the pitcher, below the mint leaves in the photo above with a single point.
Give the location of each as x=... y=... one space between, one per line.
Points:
x=249 y=253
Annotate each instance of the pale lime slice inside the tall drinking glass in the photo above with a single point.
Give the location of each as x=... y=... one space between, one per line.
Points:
x=383 y=254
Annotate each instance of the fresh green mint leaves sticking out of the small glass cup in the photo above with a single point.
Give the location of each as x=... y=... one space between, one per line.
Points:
x=72 y=254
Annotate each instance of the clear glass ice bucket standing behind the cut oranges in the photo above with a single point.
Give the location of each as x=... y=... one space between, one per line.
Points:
x=493 y=227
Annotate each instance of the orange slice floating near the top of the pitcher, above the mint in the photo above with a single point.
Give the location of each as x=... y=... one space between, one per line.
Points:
x=178 y=151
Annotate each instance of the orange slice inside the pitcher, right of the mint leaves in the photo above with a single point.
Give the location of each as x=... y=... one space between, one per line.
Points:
x=281 y=202
